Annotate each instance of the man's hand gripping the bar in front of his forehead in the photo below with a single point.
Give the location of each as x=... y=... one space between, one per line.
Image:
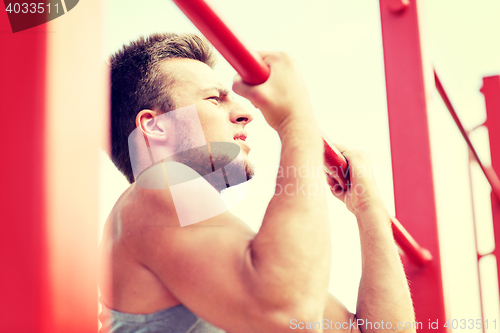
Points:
x=283 y=97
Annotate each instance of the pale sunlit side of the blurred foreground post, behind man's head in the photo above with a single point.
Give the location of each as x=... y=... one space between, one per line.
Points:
x=76 y=125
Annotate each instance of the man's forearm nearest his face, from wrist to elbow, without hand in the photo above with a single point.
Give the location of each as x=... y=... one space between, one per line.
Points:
x=293 y=244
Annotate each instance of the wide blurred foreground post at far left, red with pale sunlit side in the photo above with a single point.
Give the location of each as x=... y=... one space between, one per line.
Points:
x=48 y=243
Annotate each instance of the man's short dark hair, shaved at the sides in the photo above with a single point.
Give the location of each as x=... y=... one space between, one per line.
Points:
x=138 y=83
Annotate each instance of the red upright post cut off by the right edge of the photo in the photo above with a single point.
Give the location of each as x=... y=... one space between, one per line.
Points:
x=491 y=91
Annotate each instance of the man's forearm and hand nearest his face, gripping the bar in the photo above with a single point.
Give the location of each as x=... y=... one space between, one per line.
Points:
x=291 y=252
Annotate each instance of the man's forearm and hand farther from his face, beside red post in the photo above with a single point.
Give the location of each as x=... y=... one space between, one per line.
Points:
x=383 y=291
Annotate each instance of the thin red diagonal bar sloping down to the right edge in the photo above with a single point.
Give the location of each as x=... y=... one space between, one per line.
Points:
x=490 y=174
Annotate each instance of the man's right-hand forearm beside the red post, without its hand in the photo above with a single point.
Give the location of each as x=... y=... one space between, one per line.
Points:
x=383 y=291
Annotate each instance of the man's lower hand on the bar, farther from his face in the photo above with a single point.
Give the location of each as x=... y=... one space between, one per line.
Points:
x=363 y=192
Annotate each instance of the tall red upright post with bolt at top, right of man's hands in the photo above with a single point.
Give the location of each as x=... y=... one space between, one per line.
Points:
x=411 y=155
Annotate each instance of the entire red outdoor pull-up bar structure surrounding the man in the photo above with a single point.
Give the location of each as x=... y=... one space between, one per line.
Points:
x=49 y=238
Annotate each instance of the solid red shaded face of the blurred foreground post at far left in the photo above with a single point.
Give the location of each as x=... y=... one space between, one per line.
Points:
x=23 y=260
